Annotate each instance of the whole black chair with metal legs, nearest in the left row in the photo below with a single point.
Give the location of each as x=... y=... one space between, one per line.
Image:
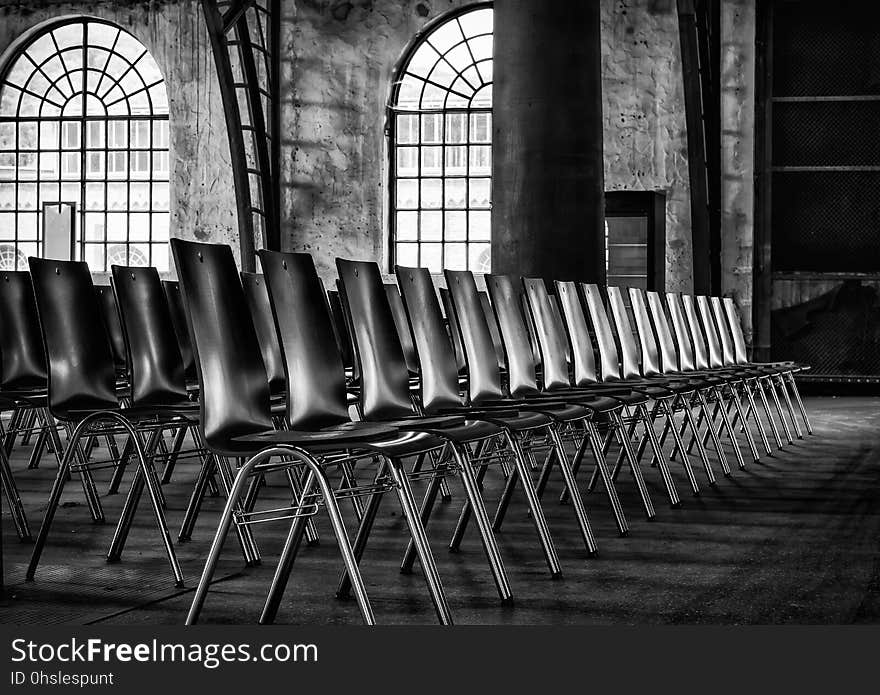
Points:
x=83 y=396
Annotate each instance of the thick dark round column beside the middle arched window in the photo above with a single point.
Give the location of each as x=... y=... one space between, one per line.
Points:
x=548 y=185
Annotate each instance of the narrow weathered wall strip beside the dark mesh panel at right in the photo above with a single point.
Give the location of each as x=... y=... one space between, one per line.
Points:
x=738 y=151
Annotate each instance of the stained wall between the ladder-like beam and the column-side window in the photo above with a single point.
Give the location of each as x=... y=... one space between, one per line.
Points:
x=333 y=140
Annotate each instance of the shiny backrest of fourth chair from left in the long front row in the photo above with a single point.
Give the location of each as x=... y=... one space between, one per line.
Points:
x=438 y=369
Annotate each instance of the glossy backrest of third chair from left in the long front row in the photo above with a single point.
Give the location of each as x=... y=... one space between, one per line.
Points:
x=378 y=353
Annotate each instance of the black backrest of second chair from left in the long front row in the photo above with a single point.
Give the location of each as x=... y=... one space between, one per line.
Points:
x=312 y=364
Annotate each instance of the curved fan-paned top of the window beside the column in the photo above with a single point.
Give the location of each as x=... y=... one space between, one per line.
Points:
x=450 y=65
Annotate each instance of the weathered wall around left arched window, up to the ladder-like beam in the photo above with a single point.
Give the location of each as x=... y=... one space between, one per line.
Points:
x=202 y=195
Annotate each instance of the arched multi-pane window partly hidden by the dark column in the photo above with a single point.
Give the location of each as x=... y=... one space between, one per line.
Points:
x=440 y=120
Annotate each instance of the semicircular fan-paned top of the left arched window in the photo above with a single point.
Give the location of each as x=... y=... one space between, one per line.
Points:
x=83 y=67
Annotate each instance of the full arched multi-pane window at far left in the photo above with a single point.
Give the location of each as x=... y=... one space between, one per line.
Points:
x=84 y=120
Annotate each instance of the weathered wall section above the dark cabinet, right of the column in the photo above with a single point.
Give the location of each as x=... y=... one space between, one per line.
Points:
x=645 y=133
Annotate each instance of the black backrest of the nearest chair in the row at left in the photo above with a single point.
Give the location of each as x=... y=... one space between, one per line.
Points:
x=82 y=374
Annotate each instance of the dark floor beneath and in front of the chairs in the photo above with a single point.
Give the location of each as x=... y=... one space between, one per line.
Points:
x=792 y=539
